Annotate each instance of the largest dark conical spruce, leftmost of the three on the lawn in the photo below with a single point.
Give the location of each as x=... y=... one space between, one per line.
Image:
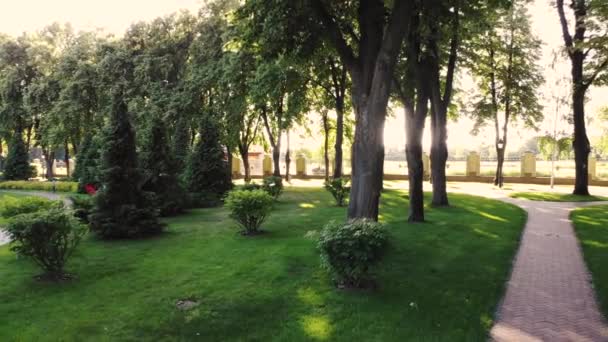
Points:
x=122 y=209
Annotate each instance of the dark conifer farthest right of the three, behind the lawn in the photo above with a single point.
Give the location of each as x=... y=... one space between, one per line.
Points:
x=208 y=169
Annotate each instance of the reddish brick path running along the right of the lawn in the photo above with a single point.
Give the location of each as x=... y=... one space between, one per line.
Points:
x=549 y=296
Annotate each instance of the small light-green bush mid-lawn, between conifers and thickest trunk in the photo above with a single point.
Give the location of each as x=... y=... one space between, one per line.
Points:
x=249 y=208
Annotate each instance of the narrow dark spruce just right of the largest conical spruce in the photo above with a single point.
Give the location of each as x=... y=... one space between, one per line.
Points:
x=160 y=170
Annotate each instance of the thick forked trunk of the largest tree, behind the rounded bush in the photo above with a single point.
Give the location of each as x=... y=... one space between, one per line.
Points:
x=370 y=58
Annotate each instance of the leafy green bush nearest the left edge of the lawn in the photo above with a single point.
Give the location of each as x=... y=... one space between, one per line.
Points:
x=48 y=237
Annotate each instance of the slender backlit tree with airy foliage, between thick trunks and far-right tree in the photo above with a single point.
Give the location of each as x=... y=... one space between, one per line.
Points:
x=505 y=66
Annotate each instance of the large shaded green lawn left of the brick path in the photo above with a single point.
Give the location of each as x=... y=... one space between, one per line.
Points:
x=441 y=280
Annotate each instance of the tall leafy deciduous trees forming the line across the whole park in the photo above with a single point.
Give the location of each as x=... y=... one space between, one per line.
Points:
x=255 y=69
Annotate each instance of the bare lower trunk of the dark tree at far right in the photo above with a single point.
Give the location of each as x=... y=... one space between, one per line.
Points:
x=580 y=144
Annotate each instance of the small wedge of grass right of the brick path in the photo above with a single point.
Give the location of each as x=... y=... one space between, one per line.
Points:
x=591 y=225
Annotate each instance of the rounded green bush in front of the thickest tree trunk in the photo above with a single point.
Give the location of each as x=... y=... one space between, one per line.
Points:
x=349 y=250
